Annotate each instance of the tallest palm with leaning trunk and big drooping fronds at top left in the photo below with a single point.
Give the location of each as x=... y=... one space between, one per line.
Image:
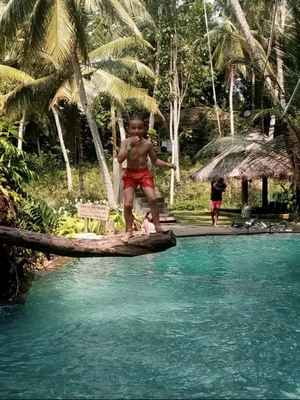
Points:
x=58 y=29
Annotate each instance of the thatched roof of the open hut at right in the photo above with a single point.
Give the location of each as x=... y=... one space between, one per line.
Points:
x=251 y=160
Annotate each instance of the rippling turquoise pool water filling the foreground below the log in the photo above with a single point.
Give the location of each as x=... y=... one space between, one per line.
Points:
x=212 y=318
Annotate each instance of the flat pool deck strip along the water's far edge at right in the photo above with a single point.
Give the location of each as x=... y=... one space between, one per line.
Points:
x=182 y=230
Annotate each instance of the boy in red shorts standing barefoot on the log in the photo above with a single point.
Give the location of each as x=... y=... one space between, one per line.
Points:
x=136 y=150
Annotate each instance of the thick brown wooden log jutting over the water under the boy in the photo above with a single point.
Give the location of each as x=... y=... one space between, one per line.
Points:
x=111 y=246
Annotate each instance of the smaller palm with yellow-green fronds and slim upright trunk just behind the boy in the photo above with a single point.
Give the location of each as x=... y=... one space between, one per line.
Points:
x=110 y=63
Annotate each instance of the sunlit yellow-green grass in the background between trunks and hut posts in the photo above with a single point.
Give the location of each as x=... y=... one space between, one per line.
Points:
x=191 y=198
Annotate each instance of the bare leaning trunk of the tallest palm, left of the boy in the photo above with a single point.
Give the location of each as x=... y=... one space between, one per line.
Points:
x=95 y=134
